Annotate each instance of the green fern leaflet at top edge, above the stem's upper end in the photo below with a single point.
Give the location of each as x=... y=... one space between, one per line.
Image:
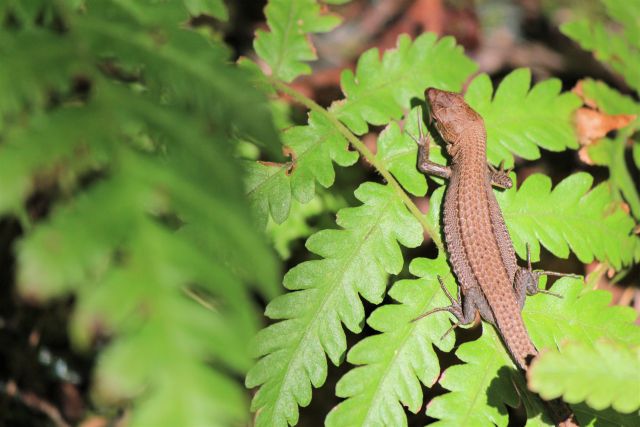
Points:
x=286 y=45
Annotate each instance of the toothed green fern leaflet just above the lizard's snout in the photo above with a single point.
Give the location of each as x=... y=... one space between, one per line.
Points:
x=380 y=90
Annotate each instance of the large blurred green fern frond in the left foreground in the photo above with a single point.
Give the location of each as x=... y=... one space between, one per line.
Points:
x=154 y=246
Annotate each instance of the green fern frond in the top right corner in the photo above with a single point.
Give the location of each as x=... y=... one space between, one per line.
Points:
x=621 y=50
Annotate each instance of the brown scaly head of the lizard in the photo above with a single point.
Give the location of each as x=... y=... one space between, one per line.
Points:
x=451 y=115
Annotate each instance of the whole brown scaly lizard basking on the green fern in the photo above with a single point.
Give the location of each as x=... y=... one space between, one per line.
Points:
x=479 y=246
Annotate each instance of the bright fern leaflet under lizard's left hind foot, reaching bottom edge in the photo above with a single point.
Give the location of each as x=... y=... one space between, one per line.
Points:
x=395 y=362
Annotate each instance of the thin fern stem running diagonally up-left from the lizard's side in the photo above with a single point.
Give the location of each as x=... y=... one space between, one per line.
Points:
x=365 y=152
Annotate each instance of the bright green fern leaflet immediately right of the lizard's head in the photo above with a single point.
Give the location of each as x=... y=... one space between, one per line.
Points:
x=519 y=120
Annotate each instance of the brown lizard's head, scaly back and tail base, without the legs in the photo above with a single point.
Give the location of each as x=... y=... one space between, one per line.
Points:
x=479 y=247
